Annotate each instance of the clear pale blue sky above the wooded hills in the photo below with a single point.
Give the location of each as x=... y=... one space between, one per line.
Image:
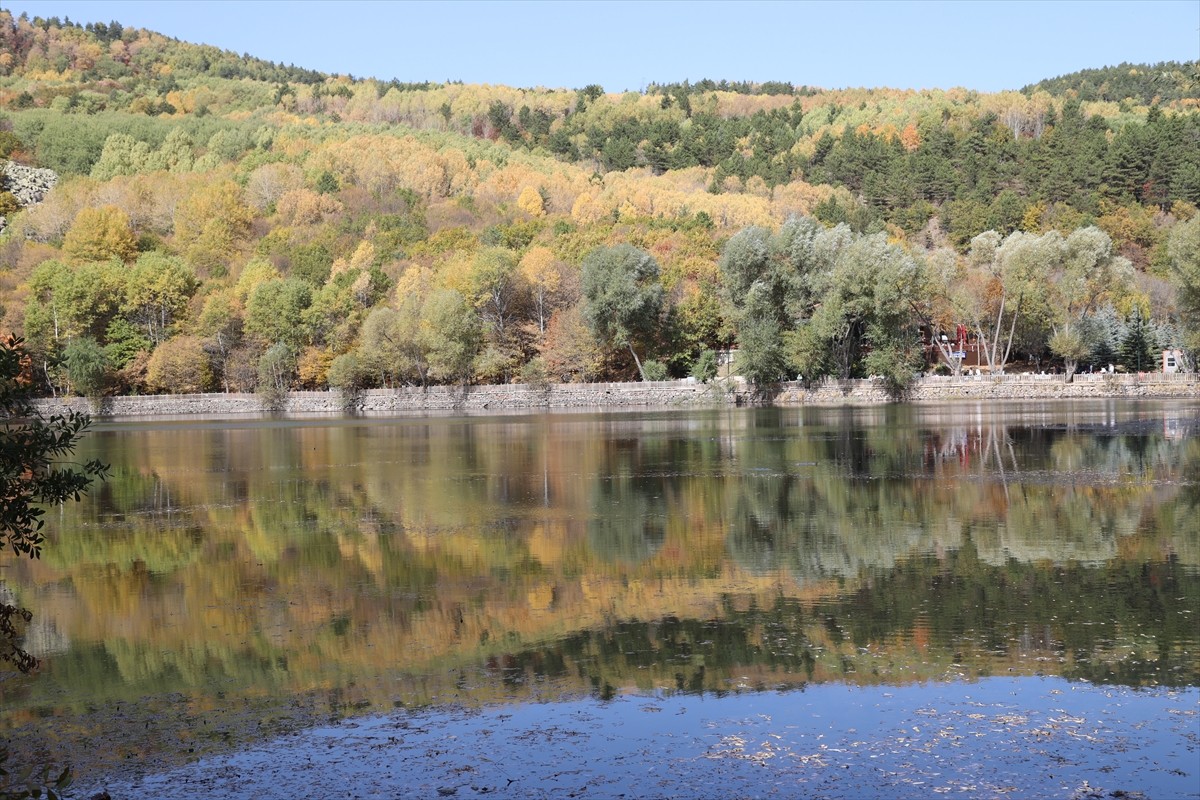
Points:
x=626 y=46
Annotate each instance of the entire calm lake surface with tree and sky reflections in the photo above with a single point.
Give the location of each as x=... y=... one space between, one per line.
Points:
x=962 y=600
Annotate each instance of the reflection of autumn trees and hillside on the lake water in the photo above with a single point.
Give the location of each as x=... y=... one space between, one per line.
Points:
x=467 y=561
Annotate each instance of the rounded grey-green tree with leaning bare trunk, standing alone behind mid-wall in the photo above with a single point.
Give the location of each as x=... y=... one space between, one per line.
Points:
x=622 y=297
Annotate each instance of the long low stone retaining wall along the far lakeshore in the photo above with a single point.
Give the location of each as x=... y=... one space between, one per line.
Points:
x=667 y=394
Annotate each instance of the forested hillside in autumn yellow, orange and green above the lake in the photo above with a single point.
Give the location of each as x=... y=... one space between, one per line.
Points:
x=224 y=224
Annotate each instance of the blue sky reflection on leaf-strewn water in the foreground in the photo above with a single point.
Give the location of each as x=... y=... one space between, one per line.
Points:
x=1028 y=738
